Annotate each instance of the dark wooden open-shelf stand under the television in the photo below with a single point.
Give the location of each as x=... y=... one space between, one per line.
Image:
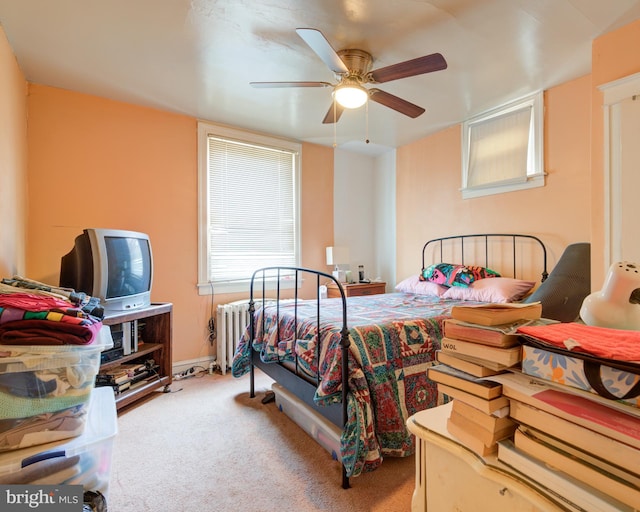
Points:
x=156 y=334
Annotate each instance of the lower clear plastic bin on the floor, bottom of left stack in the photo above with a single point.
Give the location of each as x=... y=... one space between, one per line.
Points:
x=84 y=460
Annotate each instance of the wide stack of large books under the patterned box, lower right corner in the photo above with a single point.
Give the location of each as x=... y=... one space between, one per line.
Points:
x=573 y=442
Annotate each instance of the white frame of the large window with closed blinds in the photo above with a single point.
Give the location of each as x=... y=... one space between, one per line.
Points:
x=205 y=129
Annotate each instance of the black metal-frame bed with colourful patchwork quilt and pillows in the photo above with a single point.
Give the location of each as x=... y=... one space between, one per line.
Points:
x=388 y=340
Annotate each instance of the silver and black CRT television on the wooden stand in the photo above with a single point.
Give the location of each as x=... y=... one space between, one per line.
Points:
x=113 y=265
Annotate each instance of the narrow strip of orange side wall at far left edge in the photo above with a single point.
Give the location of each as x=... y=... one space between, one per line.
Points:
x=13 y=162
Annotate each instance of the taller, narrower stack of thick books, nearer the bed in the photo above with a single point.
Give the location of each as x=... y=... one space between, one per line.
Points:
x=480 y=342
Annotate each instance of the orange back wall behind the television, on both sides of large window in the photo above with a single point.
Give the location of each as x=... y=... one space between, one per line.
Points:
x=101 y=163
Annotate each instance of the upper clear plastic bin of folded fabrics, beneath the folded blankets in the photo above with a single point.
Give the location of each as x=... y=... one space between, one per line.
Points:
x=45 y=391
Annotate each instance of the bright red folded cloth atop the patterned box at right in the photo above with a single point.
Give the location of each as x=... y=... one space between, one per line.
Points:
x=618 y=344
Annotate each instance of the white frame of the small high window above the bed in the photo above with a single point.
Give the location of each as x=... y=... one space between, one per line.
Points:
x=535 y=151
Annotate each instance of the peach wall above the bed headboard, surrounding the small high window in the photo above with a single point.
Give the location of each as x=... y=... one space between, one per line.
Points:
x=429 y=203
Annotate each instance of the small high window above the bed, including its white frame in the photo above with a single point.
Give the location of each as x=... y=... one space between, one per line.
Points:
x=502 y=149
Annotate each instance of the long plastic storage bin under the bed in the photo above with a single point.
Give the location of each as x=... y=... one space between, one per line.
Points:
x=322 y=430
